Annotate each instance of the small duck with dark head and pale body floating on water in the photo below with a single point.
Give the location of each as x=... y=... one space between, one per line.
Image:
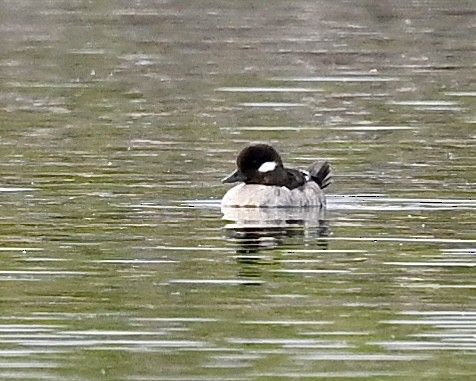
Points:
x=265 y=182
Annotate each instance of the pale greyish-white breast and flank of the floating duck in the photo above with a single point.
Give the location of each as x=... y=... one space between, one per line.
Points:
x=255 y=195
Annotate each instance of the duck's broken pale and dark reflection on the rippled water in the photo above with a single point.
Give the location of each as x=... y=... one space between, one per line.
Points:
x=256 y=229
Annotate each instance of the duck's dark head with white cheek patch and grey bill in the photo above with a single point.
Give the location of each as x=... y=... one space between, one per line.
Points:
x=253 y=163
